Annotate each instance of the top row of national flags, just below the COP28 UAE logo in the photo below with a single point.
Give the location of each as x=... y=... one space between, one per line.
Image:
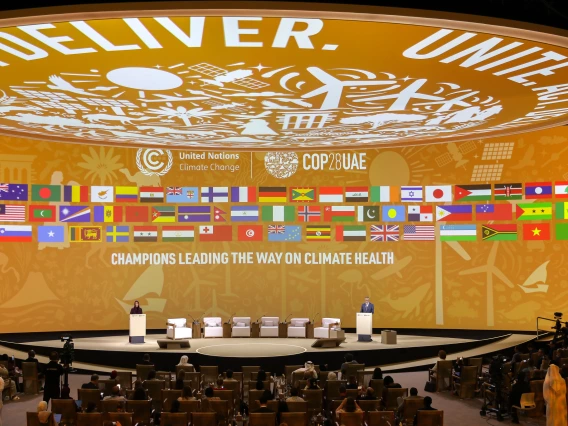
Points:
x=282 y=194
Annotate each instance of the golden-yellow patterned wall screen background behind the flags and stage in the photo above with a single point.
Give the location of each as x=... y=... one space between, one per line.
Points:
x=470 y=285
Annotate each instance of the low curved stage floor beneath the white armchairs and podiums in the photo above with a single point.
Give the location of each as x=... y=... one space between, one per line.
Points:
x=112 y=351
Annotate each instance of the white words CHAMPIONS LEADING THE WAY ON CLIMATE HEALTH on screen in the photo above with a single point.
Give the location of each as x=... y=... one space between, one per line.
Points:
x=247 y=258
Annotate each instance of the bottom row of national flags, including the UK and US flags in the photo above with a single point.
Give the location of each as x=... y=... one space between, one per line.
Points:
x=282 y=233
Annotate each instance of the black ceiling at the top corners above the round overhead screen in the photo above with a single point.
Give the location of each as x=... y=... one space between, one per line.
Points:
x=552 y=13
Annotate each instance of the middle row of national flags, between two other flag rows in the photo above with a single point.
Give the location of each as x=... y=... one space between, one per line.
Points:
x=304 y=213
